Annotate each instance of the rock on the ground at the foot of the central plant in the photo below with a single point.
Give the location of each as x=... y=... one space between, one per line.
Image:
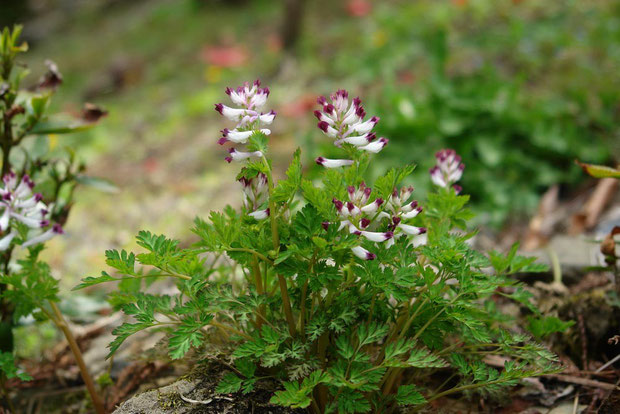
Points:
x=196 y=394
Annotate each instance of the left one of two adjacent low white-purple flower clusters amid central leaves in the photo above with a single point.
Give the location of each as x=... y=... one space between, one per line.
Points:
x=358 y=214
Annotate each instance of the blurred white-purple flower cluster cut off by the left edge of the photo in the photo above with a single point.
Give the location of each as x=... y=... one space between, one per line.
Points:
x=20 y=204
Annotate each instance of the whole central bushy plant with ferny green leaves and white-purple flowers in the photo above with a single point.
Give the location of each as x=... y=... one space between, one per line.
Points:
x=353 y=296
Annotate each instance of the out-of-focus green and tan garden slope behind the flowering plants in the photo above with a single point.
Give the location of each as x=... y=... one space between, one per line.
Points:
x=520 y=88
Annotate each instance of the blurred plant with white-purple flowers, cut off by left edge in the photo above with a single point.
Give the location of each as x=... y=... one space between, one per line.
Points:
x=33 y=213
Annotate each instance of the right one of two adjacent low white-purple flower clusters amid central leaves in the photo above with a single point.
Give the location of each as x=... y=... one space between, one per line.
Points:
x=399 y=208
